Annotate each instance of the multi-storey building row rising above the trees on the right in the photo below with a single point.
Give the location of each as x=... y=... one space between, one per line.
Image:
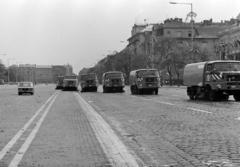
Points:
x=221 y=39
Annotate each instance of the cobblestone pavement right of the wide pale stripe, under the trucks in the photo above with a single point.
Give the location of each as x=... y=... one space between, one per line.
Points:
x=170 y=130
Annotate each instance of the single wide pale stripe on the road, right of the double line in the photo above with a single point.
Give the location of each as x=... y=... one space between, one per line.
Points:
x=117 y=153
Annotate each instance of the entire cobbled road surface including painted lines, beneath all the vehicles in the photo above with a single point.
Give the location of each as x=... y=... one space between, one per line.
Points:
x=69 y=128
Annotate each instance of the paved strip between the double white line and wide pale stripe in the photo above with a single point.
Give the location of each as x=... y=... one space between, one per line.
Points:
x=66 y=138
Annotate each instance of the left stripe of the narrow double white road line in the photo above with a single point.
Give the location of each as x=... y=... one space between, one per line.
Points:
x=19 y=134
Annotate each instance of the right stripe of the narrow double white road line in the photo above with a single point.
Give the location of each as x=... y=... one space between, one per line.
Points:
x=18 y=157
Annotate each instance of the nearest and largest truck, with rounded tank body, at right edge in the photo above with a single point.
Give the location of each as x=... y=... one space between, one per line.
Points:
x=213 y=79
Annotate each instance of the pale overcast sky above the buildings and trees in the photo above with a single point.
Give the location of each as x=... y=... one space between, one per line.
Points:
x=81 y=32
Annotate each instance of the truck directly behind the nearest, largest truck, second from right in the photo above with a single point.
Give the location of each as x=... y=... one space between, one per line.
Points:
x=144 y=80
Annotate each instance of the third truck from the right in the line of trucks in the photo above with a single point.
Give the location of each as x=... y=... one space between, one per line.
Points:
x=113 y=81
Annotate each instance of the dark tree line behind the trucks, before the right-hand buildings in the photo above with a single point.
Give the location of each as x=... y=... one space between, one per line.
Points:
x=169 y=56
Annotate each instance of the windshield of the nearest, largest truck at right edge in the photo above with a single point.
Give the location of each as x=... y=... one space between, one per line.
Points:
x=227 y=66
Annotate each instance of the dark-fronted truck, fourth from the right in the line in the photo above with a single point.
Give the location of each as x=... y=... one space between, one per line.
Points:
x=89 y=82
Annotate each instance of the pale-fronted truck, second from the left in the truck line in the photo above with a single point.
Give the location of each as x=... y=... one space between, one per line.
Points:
x=70 y=82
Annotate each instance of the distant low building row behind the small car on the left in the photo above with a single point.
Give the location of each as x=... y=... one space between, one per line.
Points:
x=40 y=73
